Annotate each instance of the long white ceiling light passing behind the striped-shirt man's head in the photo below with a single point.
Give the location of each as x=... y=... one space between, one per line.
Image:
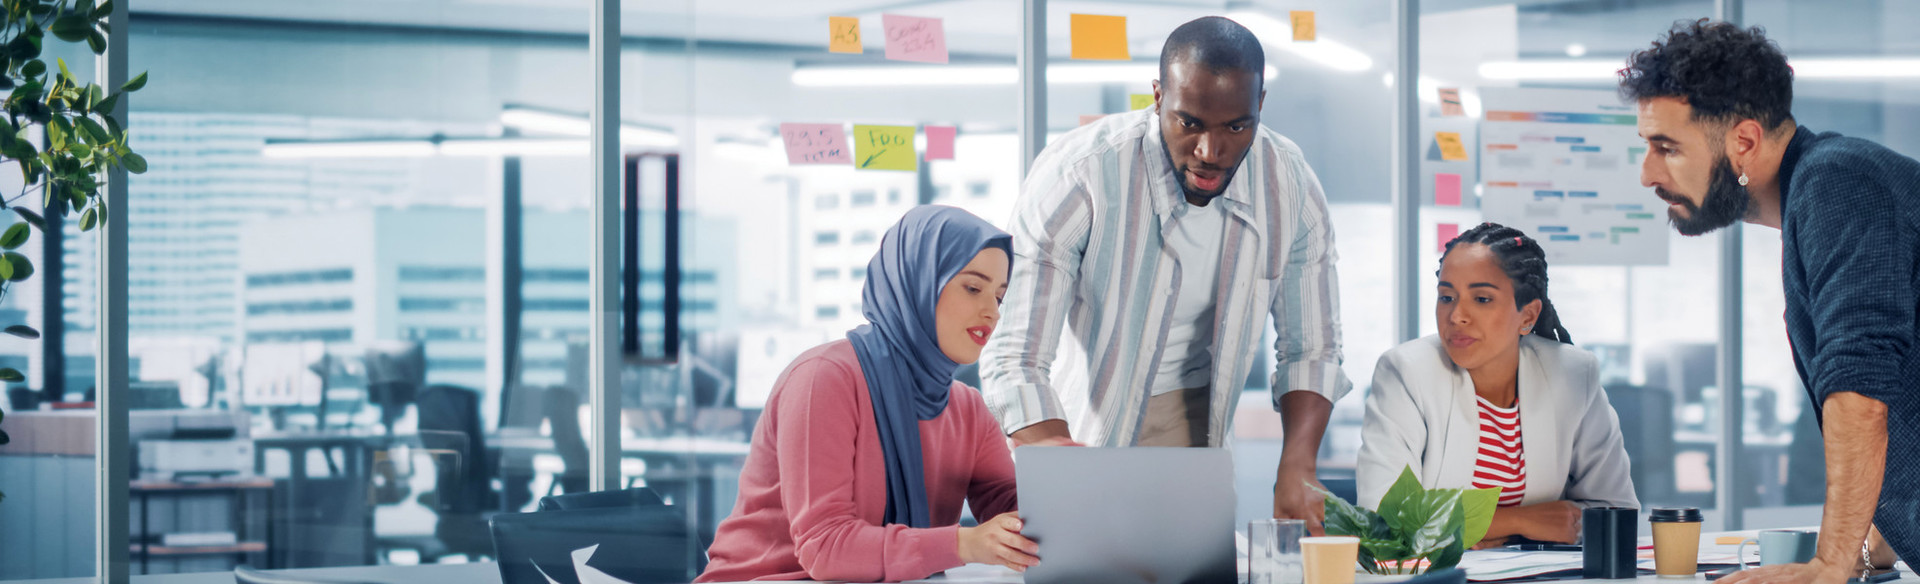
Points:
x=936 y=76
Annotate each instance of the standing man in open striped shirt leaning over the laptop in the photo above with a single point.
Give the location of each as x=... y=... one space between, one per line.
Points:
x=1163 y=239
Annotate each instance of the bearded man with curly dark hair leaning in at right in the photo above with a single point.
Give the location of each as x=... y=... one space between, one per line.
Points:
x=1723 y=147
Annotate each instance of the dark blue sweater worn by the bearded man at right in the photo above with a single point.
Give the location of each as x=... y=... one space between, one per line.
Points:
x=1852 y=276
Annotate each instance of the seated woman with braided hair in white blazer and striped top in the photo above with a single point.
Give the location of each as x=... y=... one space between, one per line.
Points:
x=1500 y=399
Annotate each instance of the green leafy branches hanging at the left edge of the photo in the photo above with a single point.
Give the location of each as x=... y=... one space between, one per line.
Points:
x=60 y=132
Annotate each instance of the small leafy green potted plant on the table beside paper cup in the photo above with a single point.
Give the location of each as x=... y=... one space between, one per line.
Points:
x=1416 y=529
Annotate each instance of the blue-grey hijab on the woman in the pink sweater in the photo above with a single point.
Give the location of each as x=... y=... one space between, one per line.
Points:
x=907 y=374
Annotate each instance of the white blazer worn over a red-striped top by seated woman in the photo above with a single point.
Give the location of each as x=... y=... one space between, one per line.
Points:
x=1422 y=412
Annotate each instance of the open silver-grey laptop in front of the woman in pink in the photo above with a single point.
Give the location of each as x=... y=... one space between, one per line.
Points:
x=1128 y=516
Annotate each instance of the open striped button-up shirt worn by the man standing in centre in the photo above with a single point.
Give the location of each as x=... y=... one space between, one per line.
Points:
x=1090 y=255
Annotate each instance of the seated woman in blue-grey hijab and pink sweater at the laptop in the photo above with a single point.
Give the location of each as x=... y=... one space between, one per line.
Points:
x=869 y=447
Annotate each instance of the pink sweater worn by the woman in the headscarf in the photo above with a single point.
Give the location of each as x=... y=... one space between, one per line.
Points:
x=815 y=489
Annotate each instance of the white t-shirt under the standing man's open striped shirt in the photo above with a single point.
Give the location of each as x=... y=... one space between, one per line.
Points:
x=1197 y=241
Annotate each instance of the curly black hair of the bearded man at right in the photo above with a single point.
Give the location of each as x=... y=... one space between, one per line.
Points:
x=1725 y=72
